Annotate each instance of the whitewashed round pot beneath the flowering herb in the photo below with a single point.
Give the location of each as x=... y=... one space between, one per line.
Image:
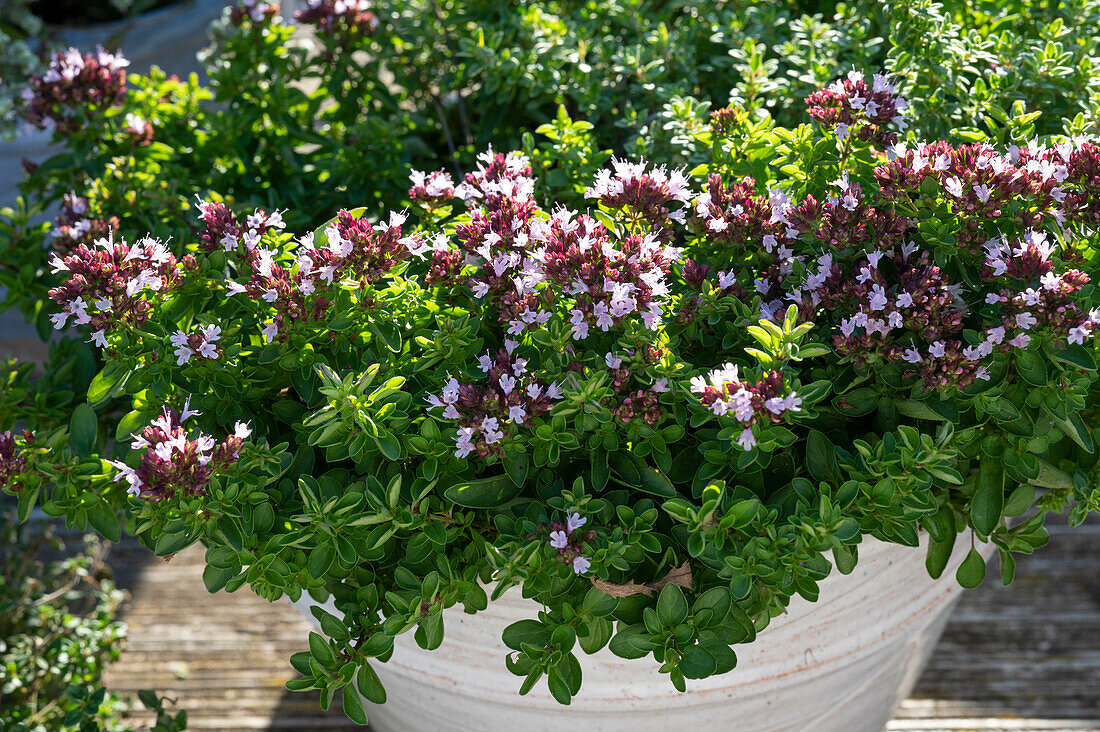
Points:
x=842 y=664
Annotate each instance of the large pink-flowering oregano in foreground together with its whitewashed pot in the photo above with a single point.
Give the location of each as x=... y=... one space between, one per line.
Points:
x=635 y=433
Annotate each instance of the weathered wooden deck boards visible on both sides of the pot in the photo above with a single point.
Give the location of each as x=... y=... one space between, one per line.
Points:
x=1024 y=659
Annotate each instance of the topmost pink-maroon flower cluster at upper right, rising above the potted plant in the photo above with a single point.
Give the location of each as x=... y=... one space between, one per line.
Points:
x=853 y=108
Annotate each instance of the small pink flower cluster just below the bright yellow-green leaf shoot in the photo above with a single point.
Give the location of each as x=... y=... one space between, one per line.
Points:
x=723 y=392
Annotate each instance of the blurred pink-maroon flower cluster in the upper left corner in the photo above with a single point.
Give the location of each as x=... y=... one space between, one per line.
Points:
x=72 y=84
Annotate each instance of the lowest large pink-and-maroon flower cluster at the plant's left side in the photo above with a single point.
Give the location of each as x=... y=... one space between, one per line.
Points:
x=175 y=463
